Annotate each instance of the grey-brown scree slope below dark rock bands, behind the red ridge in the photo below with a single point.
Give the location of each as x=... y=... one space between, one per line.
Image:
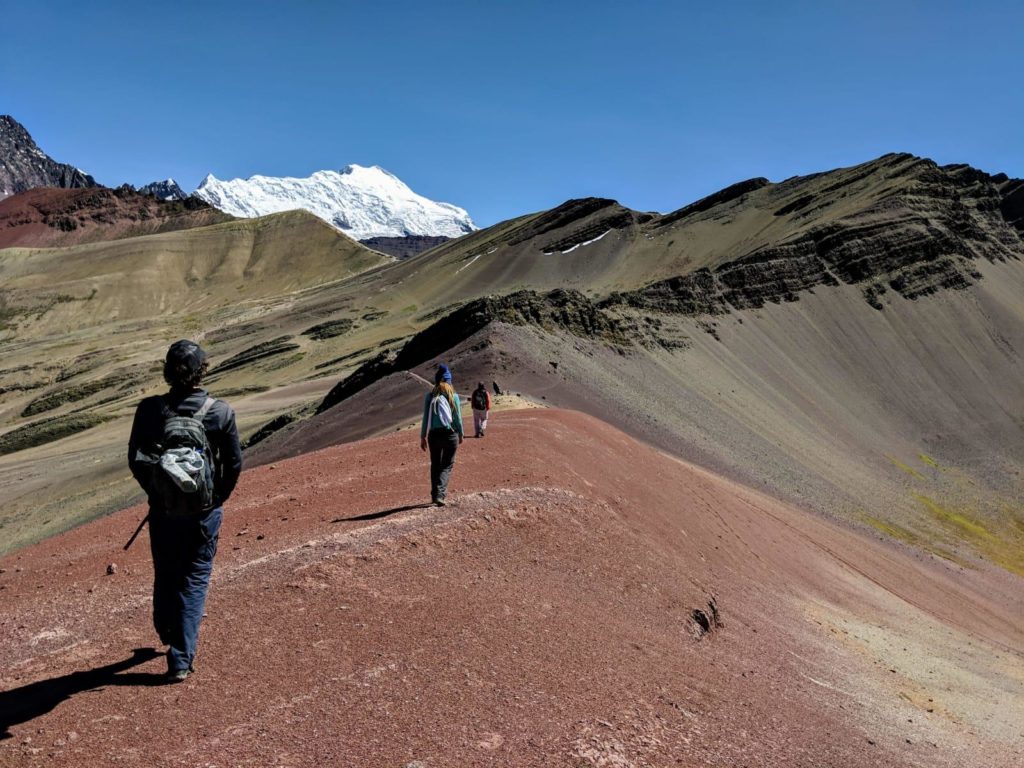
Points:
x=907 y=420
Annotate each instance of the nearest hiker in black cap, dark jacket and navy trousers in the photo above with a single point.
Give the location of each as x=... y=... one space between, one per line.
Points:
x=185 y=453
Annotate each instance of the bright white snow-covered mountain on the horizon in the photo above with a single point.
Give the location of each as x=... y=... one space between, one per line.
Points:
x=362 y=202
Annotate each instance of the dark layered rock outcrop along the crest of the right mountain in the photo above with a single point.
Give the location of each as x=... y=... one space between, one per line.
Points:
x=924 y=234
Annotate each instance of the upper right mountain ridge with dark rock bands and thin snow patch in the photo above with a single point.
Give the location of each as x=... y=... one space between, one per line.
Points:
x=884 y=220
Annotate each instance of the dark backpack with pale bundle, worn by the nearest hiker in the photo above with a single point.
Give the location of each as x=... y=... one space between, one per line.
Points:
x=185 y=476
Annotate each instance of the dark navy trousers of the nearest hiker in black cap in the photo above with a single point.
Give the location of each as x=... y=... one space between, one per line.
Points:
x=183 y=562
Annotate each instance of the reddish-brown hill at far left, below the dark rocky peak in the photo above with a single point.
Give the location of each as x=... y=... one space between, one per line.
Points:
x=53 y=218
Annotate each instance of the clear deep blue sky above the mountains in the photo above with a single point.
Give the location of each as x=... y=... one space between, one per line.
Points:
x=508 y=107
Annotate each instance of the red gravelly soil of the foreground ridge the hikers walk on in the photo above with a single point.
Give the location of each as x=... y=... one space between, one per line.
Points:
x=545 y=618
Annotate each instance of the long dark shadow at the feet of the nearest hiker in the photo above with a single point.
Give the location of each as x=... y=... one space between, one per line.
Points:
x=30 y=702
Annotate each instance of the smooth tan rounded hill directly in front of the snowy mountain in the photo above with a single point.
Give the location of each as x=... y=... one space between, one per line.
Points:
x=195 y=271
